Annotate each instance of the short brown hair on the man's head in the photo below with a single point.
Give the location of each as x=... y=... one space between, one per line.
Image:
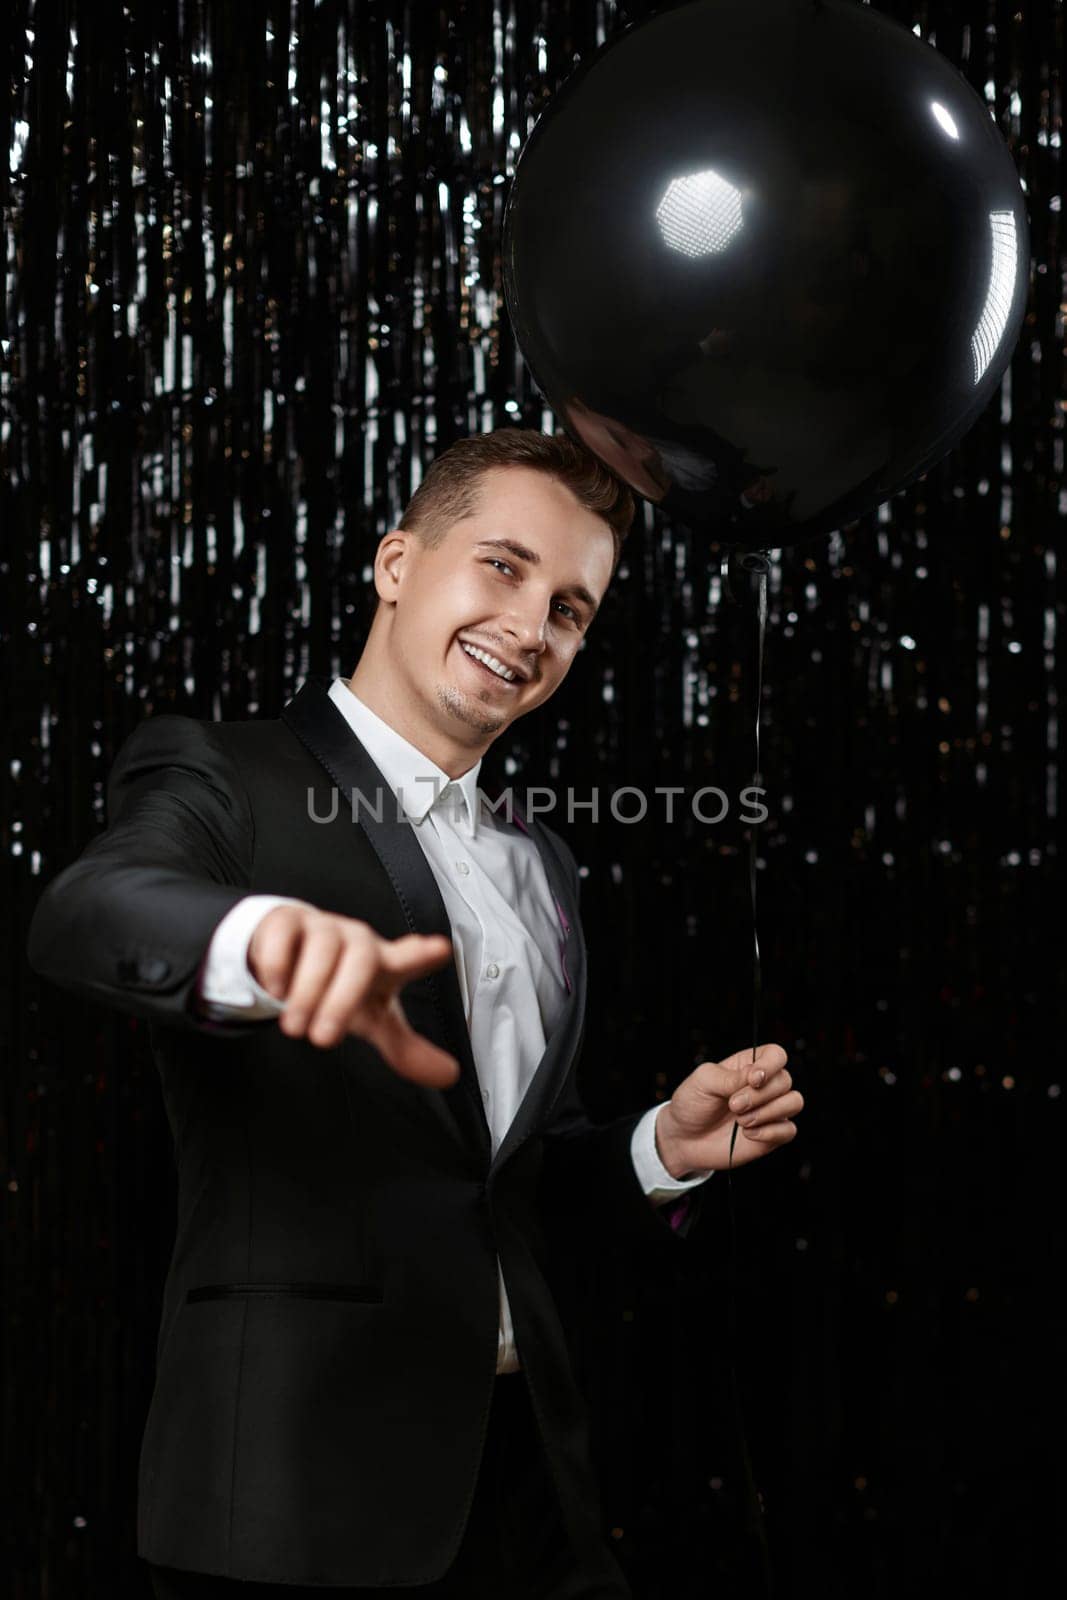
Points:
x=450 y=489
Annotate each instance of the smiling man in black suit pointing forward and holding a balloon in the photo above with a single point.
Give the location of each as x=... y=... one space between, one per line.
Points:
x=362 y=1375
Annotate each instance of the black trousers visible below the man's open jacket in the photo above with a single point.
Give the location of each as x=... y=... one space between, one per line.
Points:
x=514 y=1546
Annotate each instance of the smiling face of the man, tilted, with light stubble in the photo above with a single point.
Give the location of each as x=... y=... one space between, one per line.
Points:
x=519 y=582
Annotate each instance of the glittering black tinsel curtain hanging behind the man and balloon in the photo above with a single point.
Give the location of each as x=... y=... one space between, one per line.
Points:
x=252 y=284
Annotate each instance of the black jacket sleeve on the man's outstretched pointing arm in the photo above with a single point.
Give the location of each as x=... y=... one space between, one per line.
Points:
x=129 y=924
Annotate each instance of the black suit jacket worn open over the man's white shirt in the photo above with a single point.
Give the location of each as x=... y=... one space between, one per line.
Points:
x=330 y=1318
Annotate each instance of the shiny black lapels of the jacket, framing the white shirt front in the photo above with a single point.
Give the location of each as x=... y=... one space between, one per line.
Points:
x=321 y=727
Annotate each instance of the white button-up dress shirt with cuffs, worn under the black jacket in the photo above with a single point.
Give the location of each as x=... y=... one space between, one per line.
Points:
x=505 y=943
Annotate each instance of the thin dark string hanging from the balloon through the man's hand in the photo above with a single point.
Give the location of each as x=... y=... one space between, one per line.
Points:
x=759 y=564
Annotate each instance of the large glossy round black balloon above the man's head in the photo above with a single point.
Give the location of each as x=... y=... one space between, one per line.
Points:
x=769 y=258
